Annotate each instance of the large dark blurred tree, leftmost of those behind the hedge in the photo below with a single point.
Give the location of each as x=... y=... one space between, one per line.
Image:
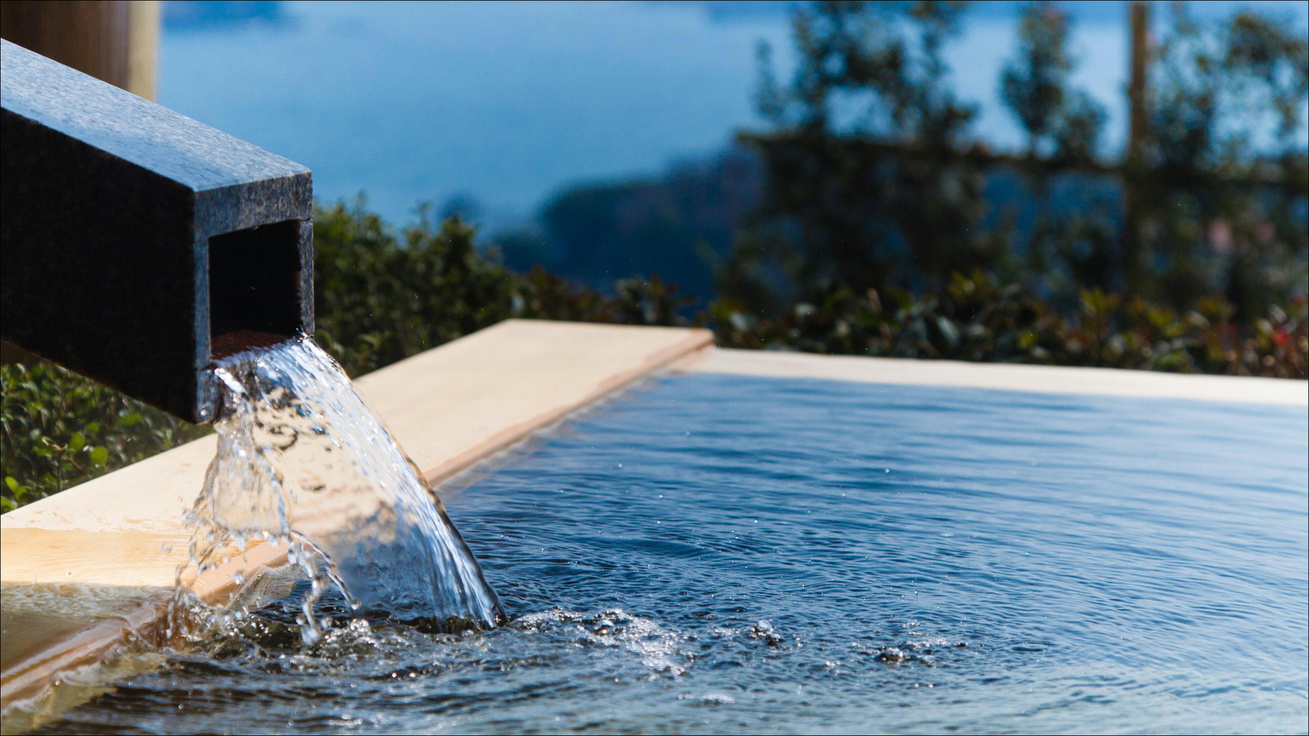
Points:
x=863 y=181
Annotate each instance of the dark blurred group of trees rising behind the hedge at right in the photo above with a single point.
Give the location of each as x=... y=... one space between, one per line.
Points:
x=876 y=180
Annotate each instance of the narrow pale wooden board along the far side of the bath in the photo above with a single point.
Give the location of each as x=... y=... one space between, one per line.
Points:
x=1041 y=379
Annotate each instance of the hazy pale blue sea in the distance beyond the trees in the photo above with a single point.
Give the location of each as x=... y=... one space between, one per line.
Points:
x=507 y=103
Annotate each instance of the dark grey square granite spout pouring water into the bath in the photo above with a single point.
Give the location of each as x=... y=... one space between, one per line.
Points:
x=138 y=244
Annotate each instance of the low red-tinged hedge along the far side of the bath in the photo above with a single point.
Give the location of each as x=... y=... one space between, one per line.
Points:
x=977 y=319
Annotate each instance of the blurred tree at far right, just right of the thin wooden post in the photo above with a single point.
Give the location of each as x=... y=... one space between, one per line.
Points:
x=1223 y=177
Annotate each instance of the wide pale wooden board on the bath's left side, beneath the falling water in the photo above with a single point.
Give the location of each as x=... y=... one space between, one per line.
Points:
x=450 y=408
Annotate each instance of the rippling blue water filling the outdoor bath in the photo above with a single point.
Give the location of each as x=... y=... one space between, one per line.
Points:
x=719 y=555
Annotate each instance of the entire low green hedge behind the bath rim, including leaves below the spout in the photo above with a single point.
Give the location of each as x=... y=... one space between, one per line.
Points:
x=384 y=295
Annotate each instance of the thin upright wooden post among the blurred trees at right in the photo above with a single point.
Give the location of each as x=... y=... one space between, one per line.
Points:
x=1134 y=171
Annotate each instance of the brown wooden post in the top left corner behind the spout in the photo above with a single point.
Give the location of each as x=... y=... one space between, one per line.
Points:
x=111 y=40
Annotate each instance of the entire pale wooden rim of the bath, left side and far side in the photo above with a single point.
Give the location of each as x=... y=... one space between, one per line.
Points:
x=450 y=408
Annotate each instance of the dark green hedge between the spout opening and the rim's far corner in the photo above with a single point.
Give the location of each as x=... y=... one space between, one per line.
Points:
x=383 y=297
